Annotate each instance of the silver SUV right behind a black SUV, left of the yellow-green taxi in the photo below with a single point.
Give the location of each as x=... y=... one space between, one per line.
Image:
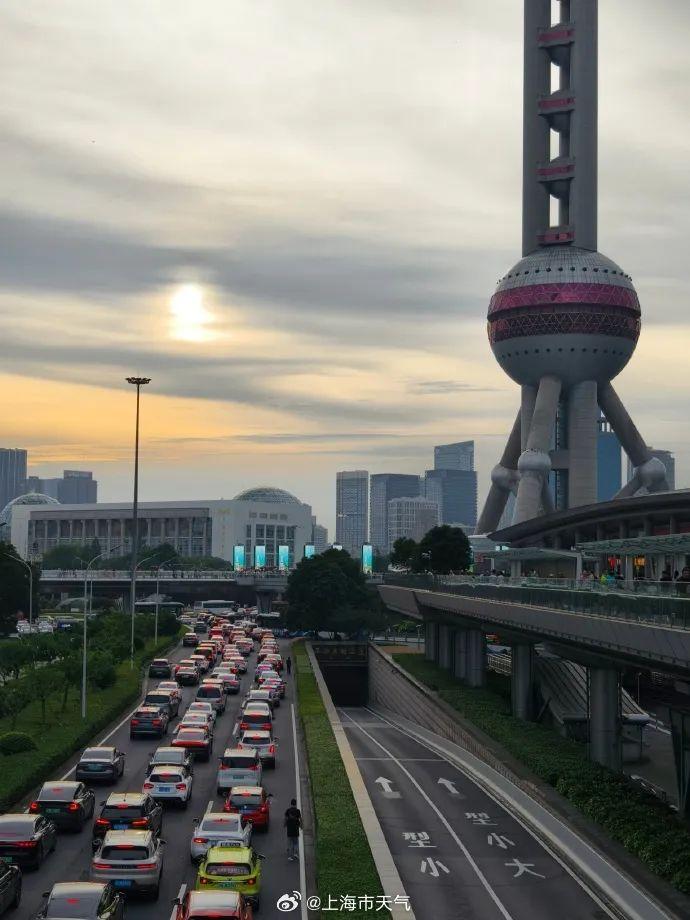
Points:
x=131 y=860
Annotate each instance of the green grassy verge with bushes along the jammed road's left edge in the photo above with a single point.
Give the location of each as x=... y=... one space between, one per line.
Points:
x=66 y=733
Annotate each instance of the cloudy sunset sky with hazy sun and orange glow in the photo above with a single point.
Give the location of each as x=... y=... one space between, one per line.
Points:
x=291 y=216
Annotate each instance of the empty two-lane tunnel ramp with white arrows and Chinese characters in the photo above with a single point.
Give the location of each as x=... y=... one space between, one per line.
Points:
x=459 y=852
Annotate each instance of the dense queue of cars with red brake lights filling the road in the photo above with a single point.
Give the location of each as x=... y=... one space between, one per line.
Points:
x=128 y=844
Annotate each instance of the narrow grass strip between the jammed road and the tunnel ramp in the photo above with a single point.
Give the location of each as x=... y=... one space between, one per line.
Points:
x=344 y=864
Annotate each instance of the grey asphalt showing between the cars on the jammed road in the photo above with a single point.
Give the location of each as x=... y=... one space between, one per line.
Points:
x=72 y=857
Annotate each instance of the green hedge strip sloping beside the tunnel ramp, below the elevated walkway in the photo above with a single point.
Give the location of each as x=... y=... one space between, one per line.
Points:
x=645 y=826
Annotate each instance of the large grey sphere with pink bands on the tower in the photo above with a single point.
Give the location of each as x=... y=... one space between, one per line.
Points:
x=567 y=312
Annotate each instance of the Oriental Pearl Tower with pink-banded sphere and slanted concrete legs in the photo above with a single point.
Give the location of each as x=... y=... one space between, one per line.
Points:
x=564 y=321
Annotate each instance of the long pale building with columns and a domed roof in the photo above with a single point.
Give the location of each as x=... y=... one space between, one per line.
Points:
x=264 y=516
